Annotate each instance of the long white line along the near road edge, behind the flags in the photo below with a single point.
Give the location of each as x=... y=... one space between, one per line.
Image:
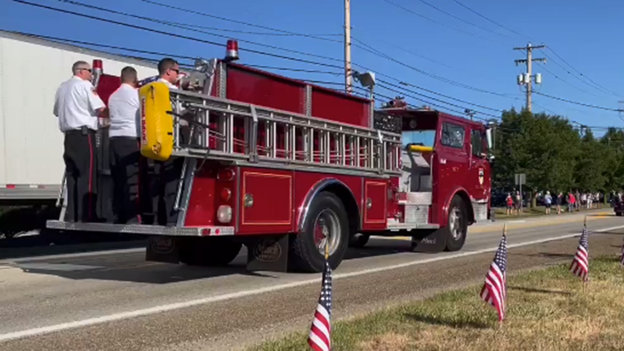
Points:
x=212 y=299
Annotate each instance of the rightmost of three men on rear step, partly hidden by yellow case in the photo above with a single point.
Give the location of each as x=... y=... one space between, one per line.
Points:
x=168 y=172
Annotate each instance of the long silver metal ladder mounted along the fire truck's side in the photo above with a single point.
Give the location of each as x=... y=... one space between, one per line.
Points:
x=245 y=134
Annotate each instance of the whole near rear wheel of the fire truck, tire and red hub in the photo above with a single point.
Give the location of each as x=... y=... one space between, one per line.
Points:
x=327 y=222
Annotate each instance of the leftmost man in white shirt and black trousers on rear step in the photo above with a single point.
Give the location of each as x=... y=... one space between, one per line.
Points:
x=77 y=106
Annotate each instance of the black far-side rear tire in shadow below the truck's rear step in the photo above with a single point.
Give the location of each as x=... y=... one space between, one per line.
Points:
x=208 y=251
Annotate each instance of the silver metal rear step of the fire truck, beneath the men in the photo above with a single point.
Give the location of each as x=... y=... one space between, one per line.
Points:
x=140 y=229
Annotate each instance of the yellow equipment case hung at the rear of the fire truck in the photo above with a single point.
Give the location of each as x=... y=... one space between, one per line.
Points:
x=156 y=121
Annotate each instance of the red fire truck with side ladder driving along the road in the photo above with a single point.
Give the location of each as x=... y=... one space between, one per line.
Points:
x=285 y=168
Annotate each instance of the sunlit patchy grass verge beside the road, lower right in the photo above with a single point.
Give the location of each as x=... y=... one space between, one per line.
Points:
x=546 y=310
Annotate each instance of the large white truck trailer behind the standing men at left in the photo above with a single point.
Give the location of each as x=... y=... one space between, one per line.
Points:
x=31 y=145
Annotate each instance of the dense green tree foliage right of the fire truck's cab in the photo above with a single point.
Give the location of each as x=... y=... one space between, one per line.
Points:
x=556 y=155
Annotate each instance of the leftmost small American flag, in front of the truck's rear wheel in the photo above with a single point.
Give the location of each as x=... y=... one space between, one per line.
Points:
x=320 y=331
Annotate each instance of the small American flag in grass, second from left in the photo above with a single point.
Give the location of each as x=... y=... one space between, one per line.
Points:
x=494 y=290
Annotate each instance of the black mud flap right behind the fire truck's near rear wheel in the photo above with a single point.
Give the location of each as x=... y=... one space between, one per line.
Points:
x=268 y=254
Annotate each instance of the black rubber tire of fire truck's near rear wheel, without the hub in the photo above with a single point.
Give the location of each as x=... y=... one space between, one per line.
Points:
x=306 y=256
